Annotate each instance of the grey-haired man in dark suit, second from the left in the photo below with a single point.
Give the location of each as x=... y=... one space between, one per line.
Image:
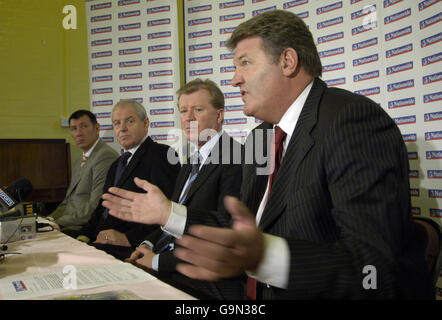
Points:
x=142 y=158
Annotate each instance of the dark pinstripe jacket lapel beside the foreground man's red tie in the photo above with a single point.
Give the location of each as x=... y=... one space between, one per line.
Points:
x=300 y=144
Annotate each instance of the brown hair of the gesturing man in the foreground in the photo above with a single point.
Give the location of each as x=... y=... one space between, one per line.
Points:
x=280 y=30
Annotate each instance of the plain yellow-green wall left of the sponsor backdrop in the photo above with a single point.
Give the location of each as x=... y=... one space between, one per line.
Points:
x=43 y=68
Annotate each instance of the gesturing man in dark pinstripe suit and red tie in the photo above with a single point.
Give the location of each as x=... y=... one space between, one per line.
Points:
x=336 y=222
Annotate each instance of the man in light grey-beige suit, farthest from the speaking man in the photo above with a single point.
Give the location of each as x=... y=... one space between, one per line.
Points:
x=88 y=174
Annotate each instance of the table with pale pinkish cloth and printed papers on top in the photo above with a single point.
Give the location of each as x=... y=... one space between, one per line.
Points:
x=44 y=259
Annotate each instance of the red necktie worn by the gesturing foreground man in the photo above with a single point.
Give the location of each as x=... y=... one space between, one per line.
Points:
x=276 y=157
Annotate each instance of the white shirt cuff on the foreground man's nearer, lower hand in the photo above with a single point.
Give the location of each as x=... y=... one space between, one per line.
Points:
x=275 y=264
